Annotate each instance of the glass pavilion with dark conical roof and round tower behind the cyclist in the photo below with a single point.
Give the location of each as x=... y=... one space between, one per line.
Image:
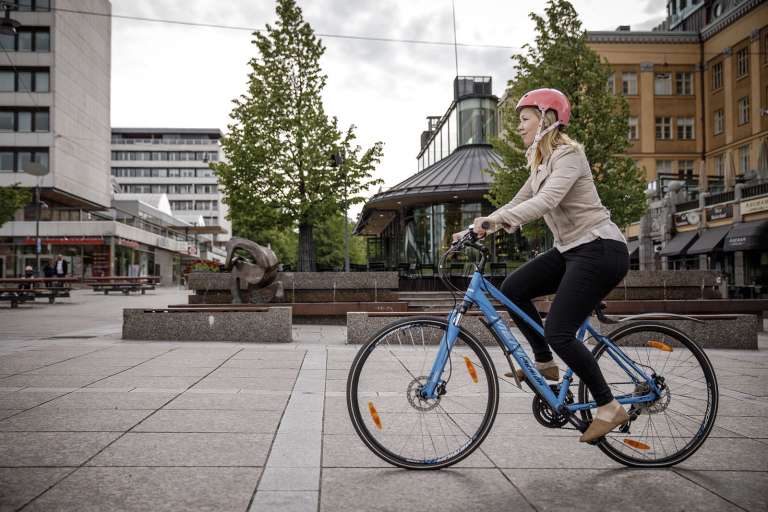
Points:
x=412 y=222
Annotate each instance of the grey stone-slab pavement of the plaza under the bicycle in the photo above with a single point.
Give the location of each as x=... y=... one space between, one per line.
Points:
x=91 y=422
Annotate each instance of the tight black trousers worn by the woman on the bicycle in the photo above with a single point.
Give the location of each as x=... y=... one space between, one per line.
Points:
x=580 y=278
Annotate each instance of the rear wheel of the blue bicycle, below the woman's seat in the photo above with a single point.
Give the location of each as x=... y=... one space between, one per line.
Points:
x=670 y=429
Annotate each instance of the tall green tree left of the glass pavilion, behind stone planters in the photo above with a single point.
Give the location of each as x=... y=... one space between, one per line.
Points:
x=279 y=174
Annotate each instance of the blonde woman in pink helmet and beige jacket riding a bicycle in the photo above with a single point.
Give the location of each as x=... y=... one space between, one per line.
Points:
x=588 y=260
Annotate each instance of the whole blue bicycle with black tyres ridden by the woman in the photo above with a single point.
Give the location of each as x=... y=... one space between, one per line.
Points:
x=423 y=393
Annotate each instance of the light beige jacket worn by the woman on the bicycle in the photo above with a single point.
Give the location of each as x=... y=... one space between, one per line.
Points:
x=563 y=192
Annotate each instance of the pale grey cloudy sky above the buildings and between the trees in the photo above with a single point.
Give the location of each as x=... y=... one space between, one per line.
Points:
x=180 y=76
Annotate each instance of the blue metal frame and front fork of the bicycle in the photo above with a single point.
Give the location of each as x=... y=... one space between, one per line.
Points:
x=476 y=295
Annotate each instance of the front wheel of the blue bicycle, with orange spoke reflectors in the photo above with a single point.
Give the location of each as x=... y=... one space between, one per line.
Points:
x=395 y=421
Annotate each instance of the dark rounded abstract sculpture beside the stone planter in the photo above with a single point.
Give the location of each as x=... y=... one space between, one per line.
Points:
x=254 y=269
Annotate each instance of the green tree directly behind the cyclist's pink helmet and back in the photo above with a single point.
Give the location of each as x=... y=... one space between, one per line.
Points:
x=561 y=59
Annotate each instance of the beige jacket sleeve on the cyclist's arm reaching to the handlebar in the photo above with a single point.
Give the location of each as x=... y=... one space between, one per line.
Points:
x=565 y=171
